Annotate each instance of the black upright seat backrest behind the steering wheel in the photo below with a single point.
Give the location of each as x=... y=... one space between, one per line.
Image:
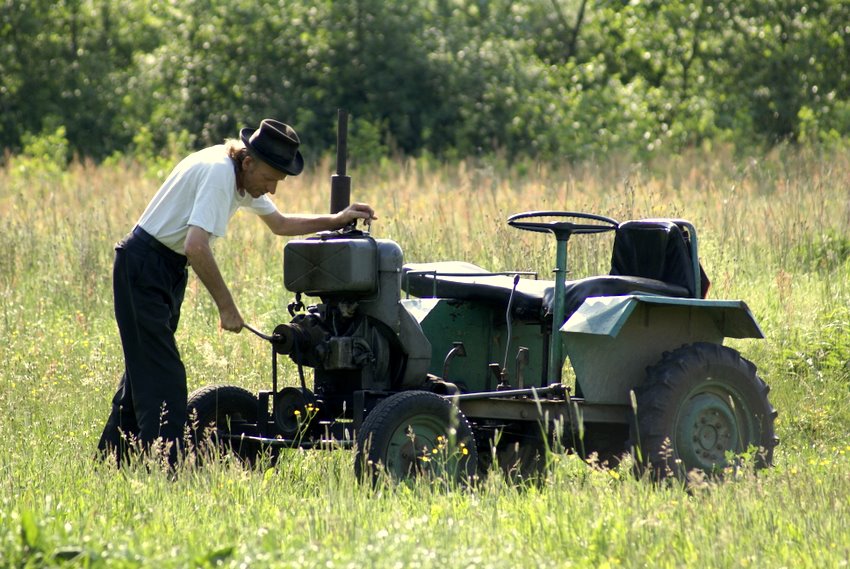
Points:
x=655 y=249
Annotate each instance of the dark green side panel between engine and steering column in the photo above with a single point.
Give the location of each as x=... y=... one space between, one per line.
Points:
x=483 y=332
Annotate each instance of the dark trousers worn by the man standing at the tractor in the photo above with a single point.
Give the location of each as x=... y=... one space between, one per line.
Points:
x=149 y=281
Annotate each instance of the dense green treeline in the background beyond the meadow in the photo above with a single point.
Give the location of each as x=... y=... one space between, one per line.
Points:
x=550 y=79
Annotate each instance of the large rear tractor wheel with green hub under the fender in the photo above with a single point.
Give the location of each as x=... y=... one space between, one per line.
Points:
x=700 y=406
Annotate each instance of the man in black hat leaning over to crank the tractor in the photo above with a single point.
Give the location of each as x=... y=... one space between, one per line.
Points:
x=190 y=209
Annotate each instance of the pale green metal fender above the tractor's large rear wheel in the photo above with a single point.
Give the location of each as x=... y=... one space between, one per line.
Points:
x=610 y=341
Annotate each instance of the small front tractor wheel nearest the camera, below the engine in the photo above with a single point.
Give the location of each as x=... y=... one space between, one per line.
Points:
x=415 y=434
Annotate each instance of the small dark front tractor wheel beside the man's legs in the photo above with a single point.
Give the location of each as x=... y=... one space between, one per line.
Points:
x=217 y=411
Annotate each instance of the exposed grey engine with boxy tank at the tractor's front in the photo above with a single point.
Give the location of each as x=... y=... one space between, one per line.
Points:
x=359 y=337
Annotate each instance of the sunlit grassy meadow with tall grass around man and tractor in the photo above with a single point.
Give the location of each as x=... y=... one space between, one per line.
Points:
x=774 y=231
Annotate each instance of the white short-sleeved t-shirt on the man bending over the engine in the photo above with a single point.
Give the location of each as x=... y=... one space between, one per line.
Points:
x=200 y=191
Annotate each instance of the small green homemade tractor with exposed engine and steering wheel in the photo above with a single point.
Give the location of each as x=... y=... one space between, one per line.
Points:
x=446 y=367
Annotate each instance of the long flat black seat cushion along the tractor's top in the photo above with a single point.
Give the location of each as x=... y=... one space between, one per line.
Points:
x=533 y=299
